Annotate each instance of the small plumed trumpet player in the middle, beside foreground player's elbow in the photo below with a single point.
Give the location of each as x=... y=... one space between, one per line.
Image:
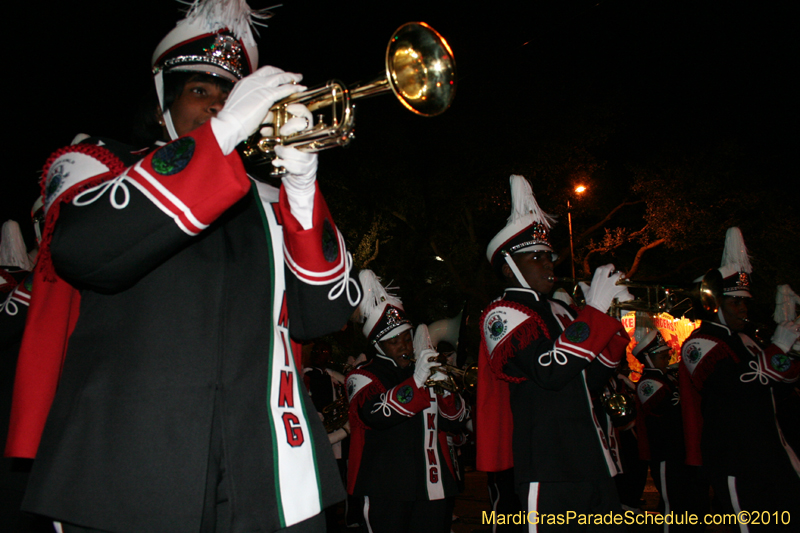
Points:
x=399 y=462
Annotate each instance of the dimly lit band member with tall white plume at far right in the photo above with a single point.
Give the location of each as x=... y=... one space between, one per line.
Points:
x=728 y=386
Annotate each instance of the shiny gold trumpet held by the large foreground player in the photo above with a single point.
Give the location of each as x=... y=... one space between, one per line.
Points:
x=420 y=71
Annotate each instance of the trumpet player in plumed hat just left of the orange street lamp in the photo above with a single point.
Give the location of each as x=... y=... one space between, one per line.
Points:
x=539 y=364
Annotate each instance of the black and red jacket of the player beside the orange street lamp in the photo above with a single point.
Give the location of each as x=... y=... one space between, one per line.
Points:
x=549 y=361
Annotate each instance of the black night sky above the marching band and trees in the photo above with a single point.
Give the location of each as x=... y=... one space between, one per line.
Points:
x=679 y=72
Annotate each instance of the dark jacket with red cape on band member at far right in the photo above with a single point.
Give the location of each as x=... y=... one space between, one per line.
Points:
x=727 y=386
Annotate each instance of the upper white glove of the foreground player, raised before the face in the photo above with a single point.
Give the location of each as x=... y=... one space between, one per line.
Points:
x=249 y=103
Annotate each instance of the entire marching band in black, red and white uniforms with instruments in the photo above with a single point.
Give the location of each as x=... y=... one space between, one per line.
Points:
x=172 y=374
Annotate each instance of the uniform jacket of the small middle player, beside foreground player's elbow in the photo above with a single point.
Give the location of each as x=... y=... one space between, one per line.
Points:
x=398 y=447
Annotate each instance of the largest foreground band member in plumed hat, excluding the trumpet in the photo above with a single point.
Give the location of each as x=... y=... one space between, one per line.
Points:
x=169 y=289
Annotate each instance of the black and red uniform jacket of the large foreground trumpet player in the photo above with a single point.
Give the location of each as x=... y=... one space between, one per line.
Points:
x=193 y=280
